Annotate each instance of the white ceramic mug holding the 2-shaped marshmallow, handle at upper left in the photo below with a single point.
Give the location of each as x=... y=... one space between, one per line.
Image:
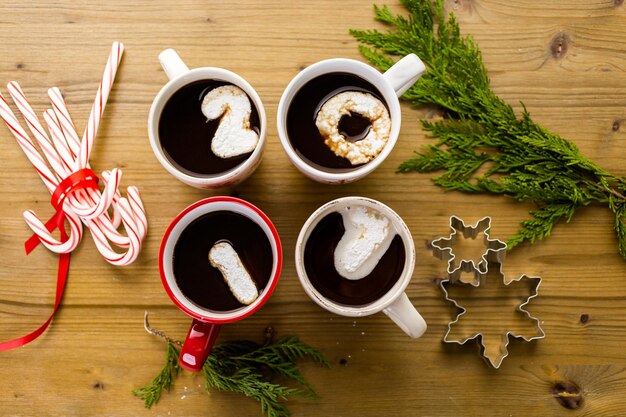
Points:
x=179 y=76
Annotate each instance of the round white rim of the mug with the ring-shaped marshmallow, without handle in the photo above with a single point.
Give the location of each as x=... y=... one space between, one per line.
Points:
x=374 y=77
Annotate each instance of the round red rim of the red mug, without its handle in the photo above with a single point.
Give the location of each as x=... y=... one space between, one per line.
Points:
x=212 y=316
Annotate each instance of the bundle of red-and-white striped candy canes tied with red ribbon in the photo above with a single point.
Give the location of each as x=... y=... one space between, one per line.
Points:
x=68 y=176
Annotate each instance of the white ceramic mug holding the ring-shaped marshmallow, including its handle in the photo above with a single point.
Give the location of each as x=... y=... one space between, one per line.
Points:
x=392 y=84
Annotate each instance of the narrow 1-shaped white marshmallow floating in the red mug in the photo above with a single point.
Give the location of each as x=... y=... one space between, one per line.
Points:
x=224 y=257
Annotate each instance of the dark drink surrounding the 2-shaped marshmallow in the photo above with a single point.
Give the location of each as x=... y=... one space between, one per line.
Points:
x=185 y=134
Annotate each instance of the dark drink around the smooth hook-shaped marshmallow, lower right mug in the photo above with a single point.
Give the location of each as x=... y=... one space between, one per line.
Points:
x=320 y=266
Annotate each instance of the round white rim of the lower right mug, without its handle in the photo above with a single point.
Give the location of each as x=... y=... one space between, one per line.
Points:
x=385 y=300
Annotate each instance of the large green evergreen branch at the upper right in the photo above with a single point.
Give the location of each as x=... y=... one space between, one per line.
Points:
x=482 y=145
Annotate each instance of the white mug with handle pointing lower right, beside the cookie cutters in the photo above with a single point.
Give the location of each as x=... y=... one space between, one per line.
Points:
x=395 y=303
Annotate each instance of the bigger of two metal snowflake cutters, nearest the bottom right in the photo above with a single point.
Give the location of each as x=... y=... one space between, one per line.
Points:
x=494 y=353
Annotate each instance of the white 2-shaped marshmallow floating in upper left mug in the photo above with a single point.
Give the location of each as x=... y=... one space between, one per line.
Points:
x=233 y=136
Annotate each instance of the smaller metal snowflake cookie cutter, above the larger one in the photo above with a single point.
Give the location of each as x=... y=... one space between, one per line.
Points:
x=443 y=248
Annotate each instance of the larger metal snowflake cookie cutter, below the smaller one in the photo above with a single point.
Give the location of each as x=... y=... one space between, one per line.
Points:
x=494 y=359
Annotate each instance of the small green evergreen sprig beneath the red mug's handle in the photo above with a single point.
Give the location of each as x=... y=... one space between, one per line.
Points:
x=247 y=368
